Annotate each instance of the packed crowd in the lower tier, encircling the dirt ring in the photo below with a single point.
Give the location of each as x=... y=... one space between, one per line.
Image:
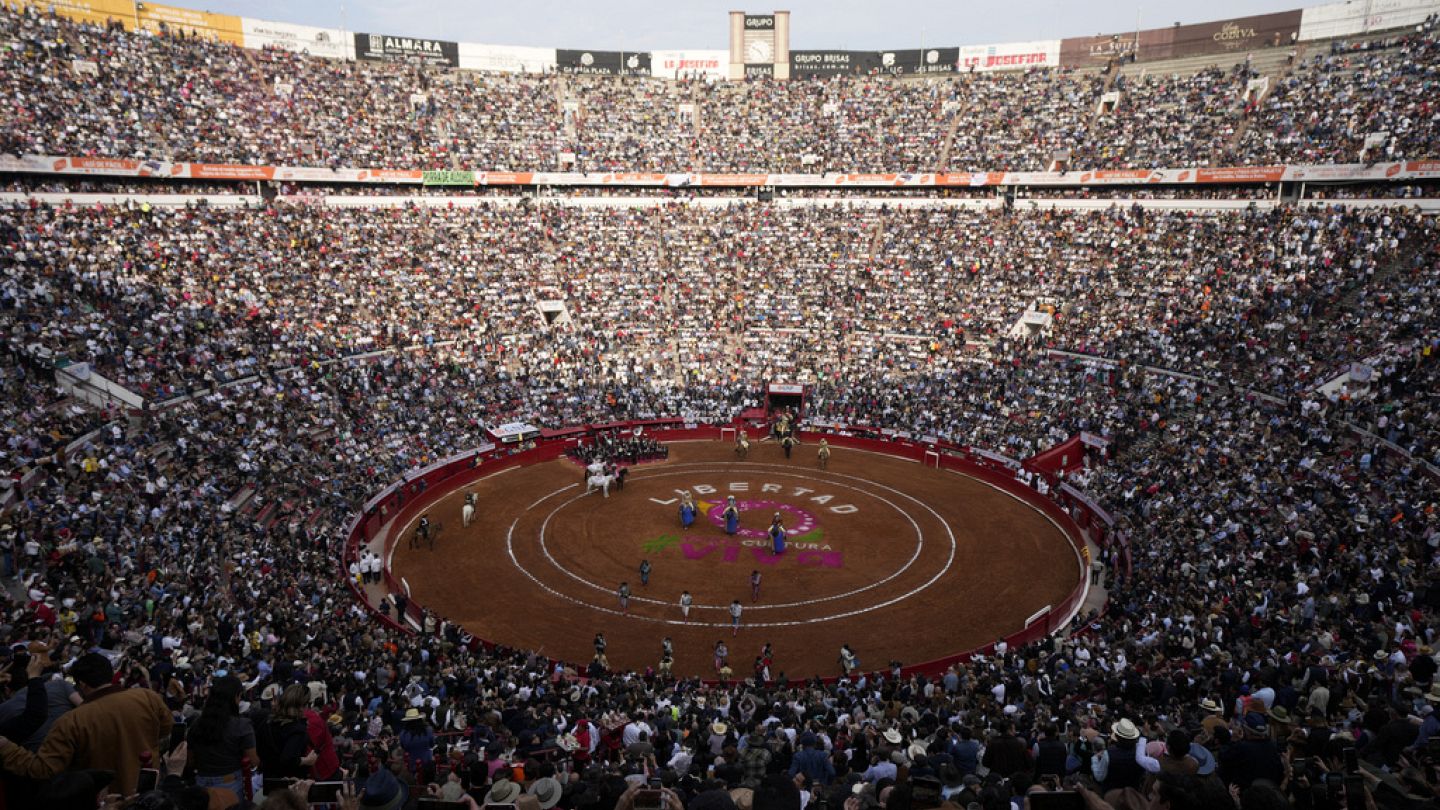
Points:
x=198 y=546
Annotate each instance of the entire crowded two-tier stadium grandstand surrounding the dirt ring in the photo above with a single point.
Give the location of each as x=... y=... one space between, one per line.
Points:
x=247 y=285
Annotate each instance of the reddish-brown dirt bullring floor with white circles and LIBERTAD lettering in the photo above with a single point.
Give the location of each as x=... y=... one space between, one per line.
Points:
x=899 y=560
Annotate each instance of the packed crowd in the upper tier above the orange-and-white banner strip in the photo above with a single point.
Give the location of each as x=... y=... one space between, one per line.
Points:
x=162 y=97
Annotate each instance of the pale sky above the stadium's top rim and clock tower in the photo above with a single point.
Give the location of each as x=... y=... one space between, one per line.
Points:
x=647 y=25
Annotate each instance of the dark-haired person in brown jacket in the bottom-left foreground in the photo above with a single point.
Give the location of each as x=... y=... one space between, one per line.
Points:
x=109 y=731
